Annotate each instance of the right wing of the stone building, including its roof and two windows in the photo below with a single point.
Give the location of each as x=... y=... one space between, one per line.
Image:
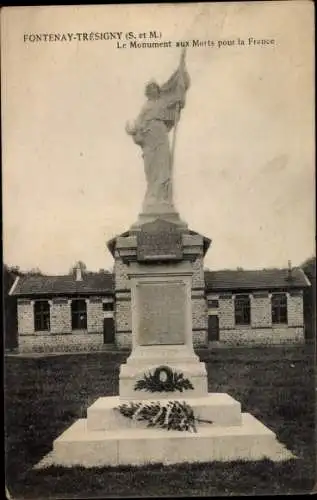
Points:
x=256 y=307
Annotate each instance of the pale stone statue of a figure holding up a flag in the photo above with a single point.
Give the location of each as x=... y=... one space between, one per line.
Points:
x=150 y=131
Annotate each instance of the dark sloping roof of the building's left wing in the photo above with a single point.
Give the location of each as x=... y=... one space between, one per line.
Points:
x=92 y=283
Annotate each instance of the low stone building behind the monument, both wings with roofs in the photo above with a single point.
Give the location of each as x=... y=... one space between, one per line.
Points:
x=89 y=311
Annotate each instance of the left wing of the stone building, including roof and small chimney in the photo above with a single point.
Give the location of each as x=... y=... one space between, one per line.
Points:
x=65 y=313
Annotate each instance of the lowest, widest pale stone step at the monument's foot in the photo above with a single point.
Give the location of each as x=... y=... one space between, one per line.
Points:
x=80 y=446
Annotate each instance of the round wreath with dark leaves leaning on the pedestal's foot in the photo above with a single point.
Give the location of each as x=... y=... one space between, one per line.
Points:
x=164 y=379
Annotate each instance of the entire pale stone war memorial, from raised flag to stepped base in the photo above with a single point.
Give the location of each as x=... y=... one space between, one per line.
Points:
x=164 y=412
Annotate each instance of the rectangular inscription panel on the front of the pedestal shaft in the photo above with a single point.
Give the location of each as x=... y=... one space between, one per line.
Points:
x=162 y=313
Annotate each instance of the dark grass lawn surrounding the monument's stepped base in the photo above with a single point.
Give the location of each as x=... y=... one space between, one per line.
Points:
x=44 y=396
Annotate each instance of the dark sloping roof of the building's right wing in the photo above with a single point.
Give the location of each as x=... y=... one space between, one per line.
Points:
x=262 y=279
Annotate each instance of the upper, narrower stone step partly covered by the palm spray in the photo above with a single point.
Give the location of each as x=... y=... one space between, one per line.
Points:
x=219 y=408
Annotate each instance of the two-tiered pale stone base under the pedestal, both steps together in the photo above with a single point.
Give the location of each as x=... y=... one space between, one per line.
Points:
x=108 y=438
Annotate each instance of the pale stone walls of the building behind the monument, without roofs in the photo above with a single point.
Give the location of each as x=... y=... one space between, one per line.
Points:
x=61 y=338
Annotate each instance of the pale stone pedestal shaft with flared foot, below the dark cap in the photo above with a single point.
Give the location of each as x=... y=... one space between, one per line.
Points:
x=161 y=327
